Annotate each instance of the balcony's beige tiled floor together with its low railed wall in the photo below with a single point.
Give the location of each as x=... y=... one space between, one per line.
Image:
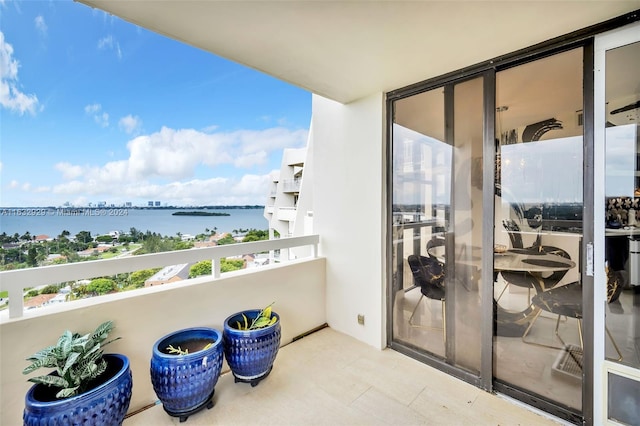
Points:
x=326 y=377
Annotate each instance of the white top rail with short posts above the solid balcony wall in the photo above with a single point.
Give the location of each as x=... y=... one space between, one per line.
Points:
x=17 y=280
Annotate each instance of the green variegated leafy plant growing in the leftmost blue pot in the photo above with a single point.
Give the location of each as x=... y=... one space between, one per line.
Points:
x=77 y=360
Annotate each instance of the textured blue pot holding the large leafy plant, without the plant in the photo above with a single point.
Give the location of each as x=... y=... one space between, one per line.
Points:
x=105 y=404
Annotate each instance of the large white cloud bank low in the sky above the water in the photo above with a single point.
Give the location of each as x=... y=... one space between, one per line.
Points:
x=163 y=165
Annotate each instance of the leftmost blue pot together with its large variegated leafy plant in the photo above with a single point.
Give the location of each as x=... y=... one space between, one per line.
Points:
x=87 y=387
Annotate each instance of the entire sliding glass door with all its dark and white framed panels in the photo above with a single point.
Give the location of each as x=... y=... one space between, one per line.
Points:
x=514 y=216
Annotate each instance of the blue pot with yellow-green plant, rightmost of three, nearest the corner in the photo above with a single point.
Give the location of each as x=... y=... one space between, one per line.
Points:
x=251 y=342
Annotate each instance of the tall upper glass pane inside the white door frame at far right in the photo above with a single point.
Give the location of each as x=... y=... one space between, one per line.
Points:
x=621 y=204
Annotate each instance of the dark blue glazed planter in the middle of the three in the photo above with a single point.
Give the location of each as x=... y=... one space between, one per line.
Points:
x=185 y=383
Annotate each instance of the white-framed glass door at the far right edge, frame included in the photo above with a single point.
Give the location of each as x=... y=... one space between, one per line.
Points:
x=617 y=224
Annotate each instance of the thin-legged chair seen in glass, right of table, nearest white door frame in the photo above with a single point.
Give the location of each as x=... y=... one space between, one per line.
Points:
x=564 y=300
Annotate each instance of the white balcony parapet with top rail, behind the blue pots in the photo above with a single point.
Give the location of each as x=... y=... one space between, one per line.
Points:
x=142 y=316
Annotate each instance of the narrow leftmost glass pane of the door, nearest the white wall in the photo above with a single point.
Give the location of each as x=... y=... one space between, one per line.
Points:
x=421 y=206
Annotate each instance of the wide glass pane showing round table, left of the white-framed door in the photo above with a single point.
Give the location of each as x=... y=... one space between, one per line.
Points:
x=538 y=229
